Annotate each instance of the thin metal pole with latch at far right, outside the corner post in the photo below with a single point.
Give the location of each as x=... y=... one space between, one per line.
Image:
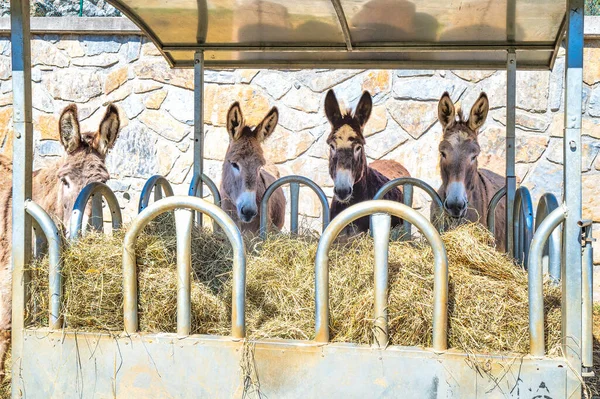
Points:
x=587 y=345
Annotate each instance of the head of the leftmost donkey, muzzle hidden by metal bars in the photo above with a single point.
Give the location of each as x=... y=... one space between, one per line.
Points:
x=85 y=159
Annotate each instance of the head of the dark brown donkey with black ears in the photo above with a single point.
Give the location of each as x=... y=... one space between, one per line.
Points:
x=347 y=159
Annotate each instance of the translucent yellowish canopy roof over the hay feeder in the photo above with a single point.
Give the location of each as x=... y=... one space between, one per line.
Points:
x=454 y=34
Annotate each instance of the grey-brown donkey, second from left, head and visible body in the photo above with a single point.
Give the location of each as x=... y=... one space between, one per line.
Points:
x=244 y=178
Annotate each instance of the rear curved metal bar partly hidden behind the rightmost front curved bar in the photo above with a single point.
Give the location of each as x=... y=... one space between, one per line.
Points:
x=552 y=249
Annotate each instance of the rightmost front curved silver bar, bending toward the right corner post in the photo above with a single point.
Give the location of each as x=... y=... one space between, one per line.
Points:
x=536 y=279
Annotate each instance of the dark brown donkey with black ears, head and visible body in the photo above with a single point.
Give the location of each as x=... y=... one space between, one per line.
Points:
x=354 y=180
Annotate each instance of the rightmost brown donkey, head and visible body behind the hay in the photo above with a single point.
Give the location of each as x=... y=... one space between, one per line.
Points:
x=467 y=190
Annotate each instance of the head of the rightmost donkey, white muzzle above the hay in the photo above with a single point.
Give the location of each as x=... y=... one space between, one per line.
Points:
x=458 y=152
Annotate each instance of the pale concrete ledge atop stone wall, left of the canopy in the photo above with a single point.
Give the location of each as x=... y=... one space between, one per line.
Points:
x=68 y=25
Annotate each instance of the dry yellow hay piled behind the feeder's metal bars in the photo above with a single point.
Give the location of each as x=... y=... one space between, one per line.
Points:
x=488 y=300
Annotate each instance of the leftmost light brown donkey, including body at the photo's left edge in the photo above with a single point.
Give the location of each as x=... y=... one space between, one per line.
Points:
x=55 y=189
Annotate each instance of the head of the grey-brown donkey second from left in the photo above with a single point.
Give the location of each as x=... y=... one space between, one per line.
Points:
x=244 y=160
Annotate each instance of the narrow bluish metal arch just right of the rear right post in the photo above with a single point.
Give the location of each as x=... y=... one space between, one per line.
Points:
x=522 y=224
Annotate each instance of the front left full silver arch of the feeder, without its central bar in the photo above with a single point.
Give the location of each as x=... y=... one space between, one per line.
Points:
x=130 y=289
